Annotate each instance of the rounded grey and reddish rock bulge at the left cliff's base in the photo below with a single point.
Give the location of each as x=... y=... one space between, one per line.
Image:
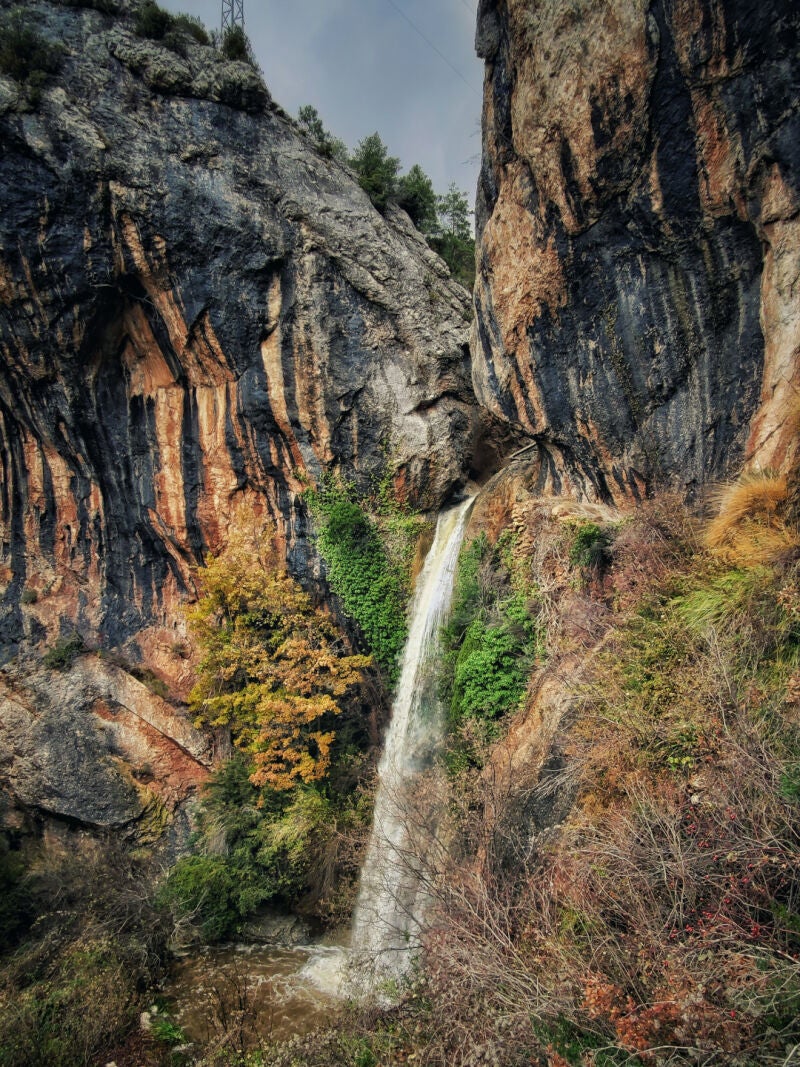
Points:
x=94 y=747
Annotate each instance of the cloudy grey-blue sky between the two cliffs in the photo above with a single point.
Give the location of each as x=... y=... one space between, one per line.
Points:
x=365 y=68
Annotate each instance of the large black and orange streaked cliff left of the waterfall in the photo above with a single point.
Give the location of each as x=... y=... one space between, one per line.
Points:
x=196 y=311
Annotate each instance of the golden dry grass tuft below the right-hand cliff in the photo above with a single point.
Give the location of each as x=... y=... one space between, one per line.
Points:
x=751 y=527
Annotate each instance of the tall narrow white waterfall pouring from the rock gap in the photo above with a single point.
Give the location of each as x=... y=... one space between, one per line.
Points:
x=394 y=888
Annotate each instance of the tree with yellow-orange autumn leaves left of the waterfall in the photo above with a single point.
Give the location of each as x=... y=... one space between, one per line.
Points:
x=274 y=667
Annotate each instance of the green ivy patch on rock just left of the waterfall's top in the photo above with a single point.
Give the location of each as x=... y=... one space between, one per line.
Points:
x=369 y=562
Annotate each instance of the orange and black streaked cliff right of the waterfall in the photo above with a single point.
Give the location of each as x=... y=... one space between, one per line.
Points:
x=639 y=237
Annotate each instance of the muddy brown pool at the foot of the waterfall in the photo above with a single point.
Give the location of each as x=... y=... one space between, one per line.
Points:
x=246 y=994
